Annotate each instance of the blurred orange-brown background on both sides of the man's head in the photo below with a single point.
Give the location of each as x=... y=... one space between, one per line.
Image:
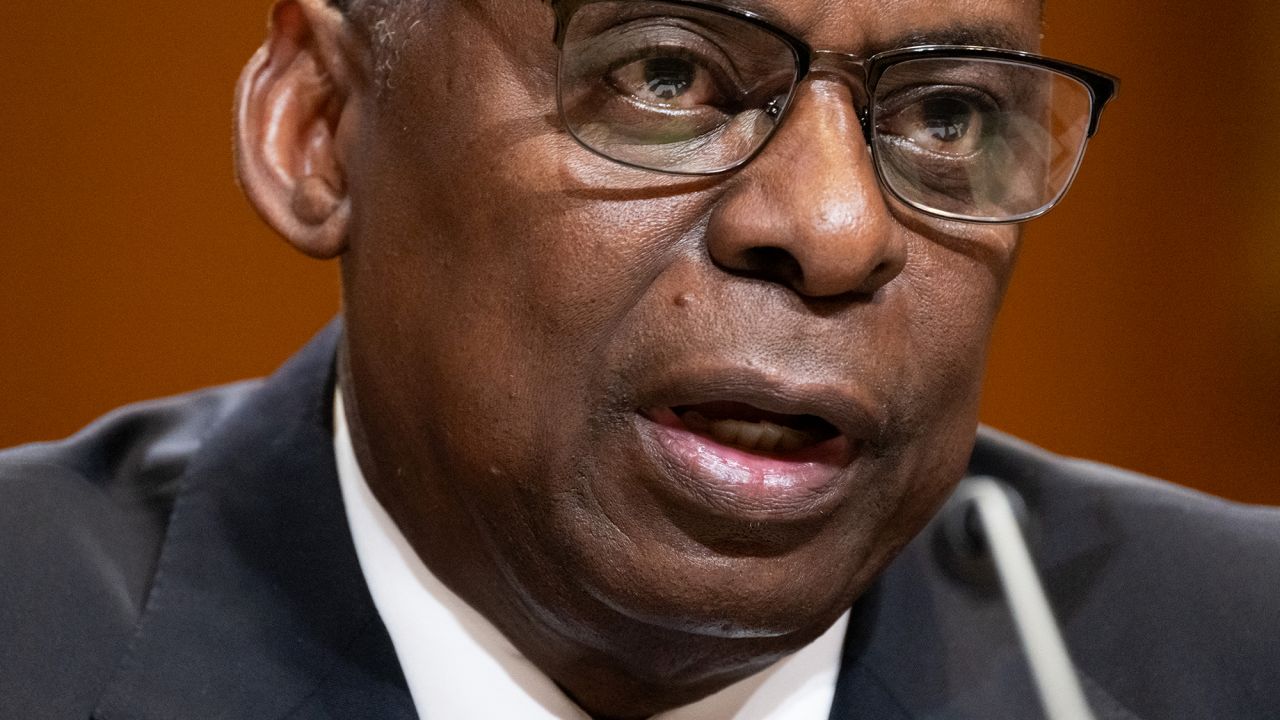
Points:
x=1142 y=329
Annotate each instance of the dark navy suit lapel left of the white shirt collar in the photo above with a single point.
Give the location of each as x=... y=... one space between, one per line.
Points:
x=259 y=607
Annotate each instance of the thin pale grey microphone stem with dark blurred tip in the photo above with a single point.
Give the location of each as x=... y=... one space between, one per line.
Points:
x=982 y=526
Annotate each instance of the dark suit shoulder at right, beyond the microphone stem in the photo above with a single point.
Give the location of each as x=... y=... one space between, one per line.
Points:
x=1169 y=596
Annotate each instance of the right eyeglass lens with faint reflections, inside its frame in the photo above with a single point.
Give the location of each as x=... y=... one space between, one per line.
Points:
x=979 y=139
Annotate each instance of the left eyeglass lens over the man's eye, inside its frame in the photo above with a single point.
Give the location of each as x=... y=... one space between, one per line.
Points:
x=670 y=88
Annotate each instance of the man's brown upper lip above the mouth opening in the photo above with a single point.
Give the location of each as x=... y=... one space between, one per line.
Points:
x=839 y=404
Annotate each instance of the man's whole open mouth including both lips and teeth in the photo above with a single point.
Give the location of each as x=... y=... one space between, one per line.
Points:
x=748 y=448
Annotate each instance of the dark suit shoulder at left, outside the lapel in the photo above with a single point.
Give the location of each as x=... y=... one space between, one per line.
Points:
x=83 y=522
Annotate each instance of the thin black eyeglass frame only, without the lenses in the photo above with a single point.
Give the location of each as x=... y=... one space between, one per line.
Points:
x=1101 y=86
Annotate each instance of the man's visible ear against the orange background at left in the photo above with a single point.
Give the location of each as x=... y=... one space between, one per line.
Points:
x=294 y=111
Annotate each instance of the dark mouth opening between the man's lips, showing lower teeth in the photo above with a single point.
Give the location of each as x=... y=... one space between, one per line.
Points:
x=748 y=429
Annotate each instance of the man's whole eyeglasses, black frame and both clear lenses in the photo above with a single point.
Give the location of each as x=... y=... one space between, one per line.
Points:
x=679 y=86
